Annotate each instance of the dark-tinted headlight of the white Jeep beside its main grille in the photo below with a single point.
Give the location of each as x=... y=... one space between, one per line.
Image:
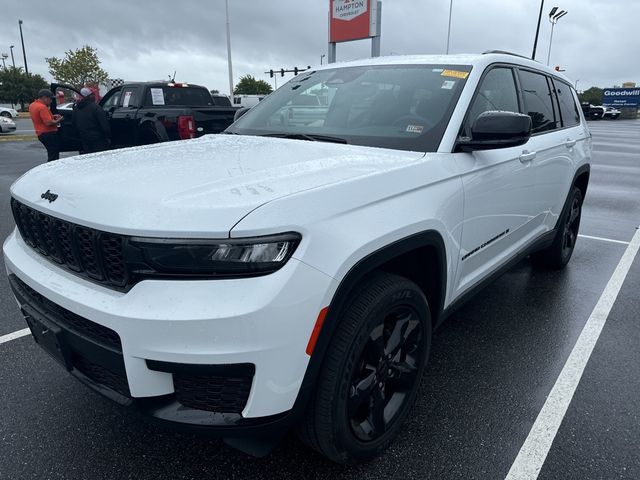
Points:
x=228 y=257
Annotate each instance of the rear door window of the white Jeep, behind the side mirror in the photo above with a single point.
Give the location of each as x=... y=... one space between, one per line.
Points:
x=538 y=101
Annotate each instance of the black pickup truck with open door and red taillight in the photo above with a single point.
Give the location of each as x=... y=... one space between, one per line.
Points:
x=152 y=112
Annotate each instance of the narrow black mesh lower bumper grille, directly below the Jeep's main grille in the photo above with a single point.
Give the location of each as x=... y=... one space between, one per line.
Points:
x=81 y=326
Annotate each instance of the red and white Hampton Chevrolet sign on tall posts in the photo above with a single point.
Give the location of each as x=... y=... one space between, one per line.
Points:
x=352 y=20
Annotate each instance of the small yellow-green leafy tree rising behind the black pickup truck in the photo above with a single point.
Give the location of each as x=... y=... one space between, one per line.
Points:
x=78 y=68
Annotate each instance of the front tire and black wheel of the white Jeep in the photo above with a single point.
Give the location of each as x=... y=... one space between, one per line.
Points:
x=371 y=372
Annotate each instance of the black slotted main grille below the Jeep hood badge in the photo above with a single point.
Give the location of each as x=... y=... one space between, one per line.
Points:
x=85 y=251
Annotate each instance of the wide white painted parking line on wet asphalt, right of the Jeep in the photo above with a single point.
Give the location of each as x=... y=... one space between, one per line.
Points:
x=533 y=453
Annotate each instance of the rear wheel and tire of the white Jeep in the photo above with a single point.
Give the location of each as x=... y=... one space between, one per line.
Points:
x=559 y=253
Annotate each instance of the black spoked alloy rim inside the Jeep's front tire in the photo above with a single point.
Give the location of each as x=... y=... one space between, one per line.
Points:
x=385 y=374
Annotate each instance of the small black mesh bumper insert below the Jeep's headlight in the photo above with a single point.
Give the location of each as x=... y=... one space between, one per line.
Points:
x=213 y=393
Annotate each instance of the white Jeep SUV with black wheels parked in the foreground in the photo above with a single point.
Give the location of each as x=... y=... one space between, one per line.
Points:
x=291 y=271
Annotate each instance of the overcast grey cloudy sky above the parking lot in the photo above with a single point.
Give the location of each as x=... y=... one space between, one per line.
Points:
x=597 y=42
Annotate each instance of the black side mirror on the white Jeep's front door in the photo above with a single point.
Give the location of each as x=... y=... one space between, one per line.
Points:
x=496 y=129
